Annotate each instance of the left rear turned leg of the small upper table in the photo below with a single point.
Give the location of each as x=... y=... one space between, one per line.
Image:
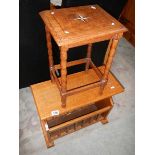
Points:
x=50 y=53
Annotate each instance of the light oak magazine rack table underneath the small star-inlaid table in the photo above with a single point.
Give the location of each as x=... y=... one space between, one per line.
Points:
x=78 y=114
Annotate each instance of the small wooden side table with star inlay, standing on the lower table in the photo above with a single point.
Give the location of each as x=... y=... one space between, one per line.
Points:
x=76 y=26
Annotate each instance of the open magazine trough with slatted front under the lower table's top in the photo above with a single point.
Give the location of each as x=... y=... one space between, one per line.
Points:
x=78 y=119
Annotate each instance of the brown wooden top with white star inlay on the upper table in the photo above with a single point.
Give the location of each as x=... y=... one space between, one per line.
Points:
x=77 y=26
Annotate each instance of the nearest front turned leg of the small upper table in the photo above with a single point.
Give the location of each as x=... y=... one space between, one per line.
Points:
x=63 y=56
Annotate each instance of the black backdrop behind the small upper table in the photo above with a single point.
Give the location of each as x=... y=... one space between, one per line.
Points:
x=33 y=58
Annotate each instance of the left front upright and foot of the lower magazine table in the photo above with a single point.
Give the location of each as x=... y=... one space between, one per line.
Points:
x=49 y=142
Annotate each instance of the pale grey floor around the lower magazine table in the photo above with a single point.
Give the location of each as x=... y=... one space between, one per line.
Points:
x=114 y=138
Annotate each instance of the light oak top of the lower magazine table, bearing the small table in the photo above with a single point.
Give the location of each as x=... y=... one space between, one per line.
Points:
x=47 y=97
